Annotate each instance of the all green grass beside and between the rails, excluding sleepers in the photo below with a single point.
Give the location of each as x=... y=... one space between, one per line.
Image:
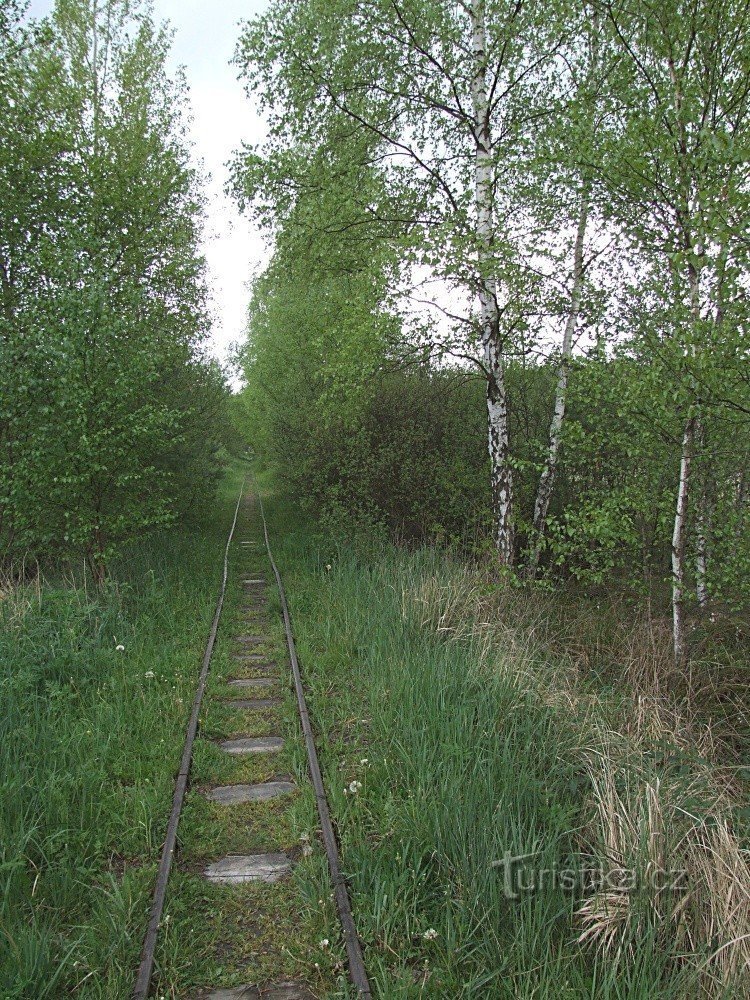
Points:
x=463 y=746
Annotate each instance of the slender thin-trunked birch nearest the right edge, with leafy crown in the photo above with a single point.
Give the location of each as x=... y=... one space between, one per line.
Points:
x=678 y=181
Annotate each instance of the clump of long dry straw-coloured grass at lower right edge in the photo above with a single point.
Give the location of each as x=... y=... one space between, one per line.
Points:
x=669 y=868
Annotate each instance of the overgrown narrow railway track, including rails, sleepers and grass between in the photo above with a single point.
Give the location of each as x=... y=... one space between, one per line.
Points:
x=238 y=920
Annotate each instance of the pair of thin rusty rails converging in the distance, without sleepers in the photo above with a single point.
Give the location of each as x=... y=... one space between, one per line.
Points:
x=357 y=970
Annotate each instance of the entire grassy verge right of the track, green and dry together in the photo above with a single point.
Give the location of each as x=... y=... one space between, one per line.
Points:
x=471 y=745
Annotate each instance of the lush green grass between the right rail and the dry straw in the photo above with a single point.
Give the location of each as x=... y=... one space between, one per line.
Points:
x=460 y=760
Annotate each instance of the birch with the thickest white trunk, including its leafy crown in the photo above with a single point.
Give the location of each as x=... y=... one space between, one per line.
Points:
x=448 y=91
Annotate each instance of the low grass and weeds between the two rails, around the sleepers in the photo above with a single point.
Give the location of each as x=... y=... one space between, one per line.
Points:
x=226 y=936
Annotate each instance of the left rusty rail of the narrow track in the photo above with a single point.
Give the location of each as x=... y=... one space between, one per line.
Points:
x=146 y=967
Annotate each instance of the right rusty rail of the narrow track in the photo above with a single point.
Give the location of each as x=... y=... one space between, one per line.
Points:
x=351 y=938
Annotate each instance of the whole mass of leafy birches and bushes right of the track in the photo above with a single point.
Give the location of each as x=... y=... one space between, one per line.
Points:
x=627 y=123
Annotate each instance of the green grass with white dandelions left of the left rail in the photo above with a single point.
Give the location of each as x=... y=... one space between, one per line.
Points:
x=89 y=739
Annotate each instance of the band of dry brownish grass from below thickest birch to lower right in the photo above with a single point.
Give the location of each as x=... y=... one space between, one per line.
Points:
x=643 y=817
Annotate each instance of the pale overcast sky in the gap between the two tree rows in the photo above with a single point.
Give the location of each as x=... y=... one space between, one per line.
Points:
x=206 y=32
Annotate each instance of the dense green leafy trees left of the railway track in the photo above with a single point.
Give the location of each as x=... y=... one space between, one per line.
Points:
x=110 y=410
